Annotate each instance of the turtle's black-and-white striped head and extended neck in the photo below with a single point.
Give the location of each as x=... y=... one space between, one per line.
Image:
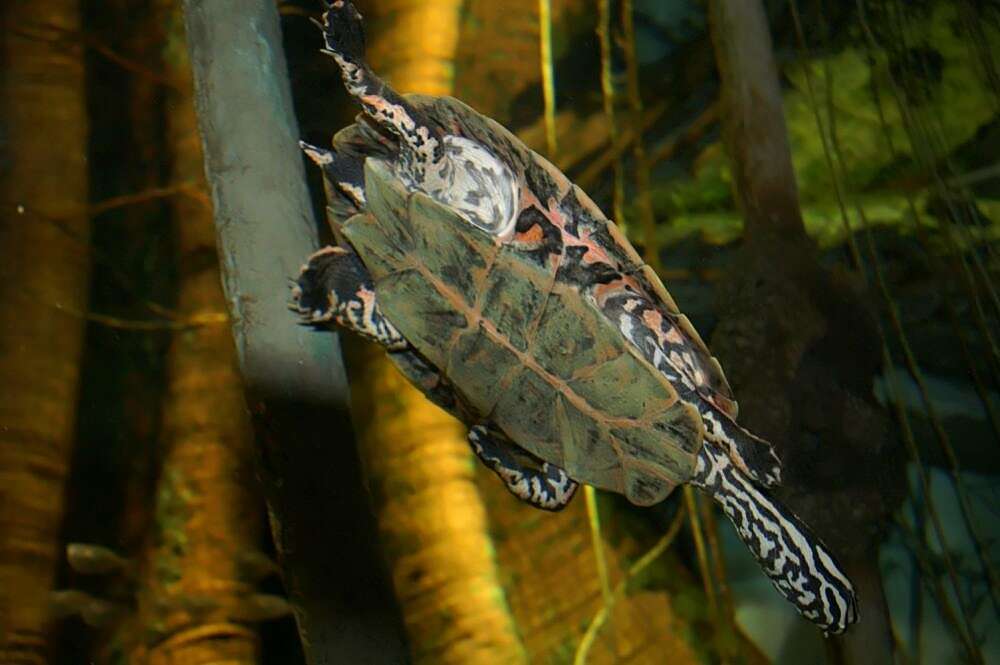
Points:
x=799 y=565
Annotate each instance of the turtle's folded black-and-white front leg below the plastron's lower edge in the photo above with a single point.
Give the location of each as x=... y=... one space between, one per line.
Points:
x=548 y=487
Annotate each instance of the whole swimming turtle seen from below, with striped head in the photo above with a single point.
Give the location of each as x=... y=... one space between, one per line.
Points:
x=500 y=290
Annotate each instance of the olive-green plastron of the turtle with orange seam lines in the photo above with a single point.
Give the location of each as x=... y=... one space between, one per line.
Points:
x=523 y=344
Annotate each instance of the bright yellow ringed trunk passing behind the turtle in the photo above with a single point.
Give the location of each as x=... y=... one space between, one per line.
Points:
x=420 y=466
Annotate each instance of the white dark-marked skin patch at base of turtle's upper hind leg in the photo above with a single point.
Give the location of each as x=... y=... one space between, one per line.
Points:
x=476 y=184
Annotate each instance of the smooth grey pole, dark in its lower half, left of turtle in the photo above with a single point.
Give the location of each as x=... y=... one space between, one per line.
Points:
x=295 y=384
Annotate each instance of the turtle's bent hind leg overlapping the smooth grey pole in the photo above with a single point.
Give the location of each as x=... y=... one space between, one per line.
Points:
x=334 y=287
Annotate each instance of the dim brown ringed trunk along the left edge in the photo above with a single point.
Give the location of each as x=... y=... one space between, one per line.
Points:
x=43 y=290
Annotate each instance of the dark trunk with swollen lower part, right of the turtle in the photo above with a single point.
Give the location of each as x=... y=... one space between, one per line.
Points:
x=799 y=343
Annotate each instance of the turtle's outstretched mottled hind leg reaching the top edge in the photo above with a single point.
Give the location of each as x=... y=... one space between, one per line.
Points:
x=344 y=37
